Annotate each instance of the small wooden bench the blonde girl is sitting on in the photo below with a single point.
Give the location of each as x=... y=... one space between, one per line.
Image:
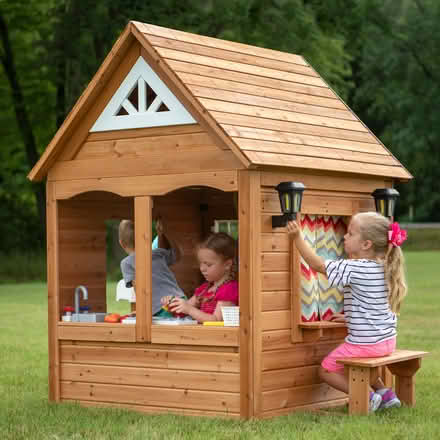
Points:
x=363 y=372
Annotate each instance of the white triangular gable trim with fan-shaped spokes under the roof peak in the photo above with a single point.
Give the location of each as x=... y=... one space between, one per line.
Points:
x=142 y=75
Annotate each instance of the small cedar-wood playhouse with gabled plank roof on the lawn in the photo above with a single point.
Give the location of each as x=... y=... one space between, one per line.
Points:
x=200 y=130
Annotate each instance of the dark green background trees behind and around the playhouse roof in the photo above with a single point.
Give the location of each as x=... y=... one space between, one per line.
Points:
x=380 y=56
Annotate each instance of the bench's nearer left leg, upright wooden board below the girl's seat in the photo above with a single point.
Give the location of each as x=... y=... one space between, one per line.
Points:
x=359 y=389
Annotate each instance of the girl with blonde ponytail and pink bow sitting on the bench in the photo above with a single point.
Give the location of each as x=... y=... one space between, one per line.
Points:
x=373 y=279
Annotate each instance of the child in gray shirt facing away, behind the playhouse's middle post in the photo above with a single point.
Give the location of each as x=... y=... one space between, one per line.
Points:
x=168 y=252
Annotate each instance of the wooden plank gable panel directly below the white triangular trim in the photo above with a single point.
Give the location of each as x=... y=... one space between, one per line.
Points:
x=173 y=150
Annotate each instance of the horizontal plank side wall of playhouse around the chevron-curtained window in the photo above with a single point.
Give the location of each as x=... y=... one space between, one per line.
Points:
x=289 y=366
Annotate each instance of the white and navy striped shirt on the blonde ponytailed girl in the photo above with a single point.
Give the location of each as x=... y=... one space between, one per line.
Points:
x=367 y=312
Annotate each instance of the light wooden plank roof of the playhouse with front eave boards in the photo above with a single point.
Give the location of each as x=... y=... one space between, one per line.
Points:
x=270 y=108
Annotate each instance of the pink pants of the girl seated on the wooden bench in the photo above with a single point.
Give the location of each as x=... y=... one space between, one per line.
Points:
x=347 y=350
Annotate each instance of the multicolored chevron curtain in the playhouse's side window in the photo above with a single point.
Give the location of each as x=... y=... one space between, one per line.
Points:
x=325 y=234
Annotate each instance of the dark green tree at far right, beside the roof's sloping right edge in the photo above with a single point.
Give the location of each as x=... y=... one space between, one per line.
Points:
x=399 y=93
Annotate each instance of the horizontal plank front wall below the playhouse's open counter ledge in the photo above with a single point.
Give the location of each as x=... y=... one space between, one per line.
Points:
x=152 y=379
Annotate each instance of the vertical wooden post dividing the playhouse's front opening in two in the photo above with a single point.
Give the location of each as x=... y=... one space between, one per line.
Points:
x=143 y=237
